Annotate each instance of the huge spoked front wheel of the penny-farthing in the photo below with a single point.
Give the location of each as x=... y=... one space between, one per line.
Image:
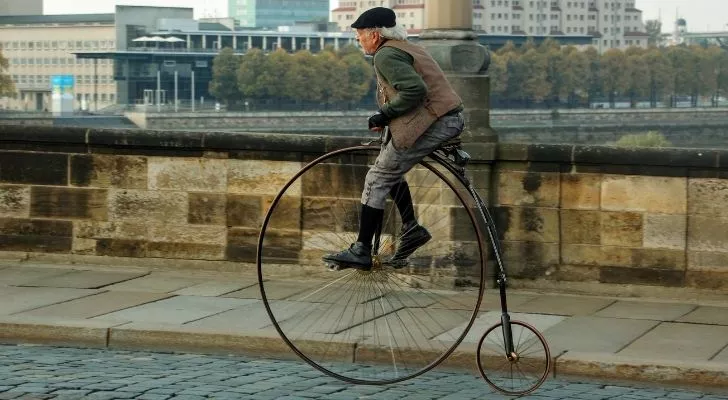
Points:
x=379 y=326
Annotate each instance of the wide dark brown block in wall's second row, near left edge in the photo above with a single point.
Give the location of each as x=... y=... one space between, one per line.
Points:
x=58 y=202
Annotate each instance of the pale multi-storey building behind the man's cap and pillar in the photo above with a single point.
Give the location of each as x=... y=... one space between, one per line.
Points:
x=611 y=23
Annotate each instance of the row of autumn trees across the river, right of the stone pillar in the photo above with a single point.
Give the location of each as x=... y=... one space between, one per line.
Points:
x=557 y=75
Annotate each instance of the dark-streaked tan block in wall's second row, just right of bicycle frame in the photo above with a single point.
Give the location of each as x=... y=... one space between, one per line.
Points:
x=529 y=224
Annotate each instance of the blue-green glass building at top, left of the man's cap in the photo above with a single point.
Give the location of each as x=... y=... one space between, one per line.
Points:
x=271 y=14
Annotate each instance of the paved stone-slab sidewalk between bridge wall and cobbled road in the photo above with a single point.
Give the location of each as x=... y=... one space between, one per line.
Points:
x=133 y=308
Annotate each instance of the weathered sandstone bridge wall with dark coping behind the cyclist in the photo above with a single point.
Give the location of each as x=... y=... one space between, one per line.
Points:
x=564 y=212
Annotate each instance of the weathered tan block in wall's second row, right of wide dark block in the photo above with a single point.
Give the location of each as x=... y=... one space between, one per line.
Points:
x=149 y=206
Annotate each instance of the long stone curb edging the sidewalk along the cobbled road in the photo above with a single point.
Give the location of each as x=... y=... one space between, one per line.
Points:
x=153 y=337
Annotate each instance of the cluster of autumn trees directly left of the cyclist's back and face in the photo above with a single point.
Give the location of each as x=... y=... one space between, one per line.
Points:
x=328 y=77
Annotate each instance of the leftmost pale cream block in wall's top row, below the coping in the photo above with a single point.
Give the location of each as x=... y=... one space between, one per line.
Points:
x=188 y=175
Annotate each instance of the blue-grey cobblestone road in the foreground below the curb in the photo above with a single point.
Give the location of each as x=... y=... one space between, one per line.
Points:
x=30 y=372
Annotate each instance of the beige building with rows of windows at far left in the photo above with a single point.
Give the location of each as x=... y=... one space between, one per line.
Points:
x=40 y=46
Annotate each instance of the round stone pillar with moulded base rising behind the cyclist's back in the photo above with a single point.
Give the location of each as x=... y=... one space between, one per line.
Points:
x=449 y=38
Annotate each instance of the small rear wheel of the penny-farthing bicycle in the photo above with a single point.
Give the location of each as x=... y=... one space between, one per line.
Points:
x=520 y=372
